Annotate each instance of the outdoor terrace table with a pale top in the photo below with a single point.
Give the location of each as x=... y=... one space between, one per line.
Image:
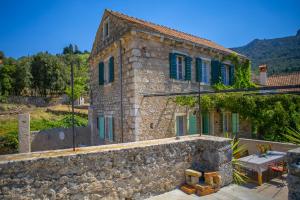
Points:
x=261 y=163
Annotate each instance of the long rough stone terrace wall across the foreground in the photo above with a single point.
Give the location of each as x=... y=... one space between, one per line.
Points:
x=133 y=170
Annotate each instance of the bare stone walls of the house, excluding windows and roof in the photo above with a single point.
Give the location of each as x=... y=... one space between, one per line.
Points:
x=143 y=56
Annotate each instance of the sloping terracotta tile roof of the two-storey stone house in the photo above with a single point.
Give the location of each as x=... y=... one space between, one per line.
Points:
x=173 y=33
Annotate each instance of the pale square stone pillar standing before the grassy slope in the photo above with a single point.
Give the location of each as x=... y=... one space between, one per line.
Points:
x=24 y=133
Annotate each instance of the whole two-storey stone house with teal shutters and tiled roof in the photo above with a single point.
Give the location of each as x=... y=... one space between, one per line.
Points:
x=131 y=59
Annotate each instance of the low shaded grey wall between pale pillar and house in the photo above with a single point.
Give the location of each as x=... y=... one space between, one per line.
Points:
x=59 y=138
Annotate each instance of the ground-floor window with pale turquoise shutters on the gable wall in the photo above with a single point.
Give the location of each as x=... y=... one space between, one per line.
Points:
x=105 y=128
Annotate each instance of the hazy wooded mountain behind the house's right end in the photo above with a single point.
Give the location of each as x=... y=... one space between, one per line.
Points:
x=281 y=55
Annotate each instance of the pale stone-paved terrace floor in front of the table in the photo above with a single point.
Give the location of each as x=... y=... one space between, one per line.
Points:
x=272 y=190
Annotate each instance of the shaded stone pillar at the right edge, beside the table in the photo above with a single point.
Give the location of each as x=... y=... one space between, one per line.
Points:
x=293 y=178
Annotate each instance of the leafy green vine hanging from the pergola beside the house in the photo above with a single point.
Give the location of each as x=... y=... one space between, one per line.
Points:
x=270 y=115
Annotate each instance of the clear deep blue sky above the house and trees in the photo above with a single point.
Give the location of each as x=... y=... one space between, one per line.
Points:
x=30 y=26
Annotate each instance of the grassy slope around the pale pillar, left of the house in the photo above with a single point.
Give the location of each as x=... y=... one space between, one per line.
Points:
x=40 y=119
